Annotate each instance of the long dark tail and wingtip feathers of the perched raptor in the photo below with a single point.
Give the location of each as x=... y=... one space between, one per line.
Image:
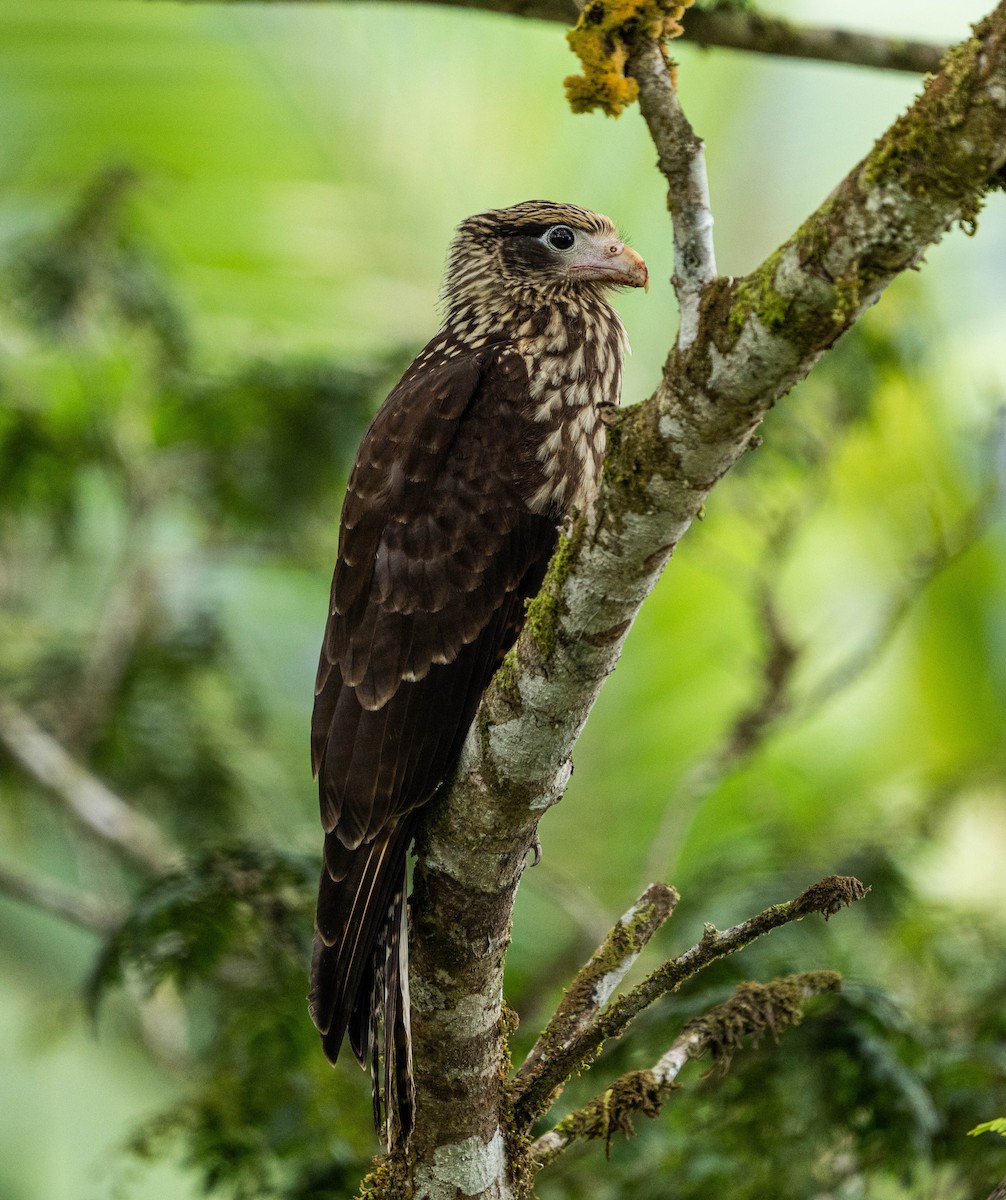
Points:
x=360 y=970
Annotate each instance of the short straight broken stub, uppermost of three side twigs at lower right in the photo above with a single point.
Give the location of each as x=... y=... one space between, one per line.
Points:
x=596 y=982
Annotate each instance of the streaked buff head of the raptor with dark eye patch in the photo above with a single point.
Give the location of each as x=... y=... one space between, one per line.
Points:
x=538 y=253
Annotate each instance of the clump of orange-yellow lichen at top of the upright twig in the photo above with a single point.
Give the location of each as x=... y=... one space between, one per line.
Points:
x=603 y=40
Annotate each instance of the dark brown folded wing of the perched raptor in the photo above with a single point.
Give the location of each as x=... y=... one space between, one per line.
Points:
x=438 y=555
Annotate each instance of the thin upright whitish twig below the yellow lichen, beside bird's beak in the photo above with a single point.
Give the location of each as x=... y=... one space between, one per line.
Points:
x=682 y=161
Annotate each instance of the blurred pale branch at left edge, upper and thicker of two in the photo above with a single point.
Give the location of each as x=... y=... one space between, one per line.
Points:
x=97 y=807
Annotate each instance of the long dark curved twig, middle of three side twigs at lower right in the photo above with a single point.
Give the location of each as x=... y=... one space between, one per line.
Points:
x=828 y=897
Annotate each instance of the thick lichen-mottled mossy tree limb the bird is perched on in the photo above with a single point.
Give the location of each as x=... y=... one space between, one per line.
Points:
x=757 y=338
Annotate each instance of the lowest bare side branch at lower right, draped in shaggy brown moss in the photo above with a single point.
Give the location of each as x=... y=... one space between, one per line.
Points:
x=753 y=1011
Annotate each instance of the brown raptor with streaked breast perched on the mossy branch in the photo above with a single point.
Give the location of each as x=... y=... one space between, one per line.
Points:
x=492 y=440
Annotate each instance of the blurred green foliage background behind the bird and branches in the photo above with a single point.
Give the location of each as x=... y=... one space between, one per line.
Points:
x=221 y=233
